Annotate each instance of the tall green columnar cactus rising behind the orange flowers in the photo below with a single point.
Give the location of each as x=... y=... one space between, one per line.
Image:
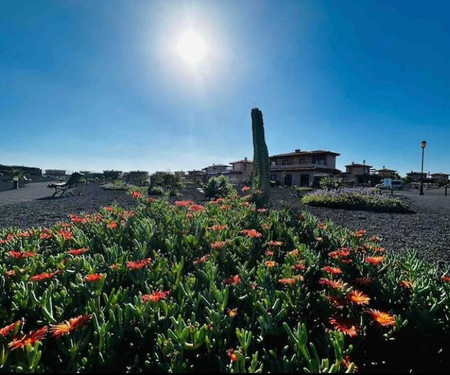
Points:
x=261 y=164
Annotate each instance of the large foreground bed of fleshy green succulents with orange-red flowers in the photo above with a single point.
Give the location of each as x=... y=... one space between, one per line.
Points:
x=216 y=287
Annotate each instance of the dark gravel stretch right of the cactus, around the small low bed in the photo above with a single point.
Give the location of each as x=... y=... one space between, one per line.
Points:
x=426 y=229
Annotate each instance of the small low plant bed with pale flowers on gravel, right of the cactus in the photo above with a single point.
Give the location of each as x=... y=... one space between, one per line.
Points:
x=355 y=198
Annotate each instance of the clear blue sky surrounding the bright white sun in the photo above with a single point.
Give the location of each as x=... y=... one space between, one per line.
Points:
x=96 y=85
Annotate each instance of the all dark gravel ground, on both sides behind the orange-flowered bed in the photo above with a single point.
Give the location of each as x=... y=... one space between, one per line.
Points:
x=426 y=229
